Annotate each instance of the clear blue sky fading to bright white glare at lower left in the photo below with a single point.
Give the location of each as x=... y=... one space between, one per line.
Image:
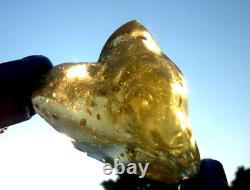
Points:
x=209 y=41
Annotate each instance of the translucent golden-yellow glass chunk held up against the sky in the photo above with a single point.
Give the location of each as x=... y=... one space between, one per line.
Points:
x=131 y=105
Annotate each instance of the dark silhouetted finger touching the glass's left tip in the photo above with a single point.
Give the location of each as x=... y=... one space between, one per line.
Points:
x=18 y=79
